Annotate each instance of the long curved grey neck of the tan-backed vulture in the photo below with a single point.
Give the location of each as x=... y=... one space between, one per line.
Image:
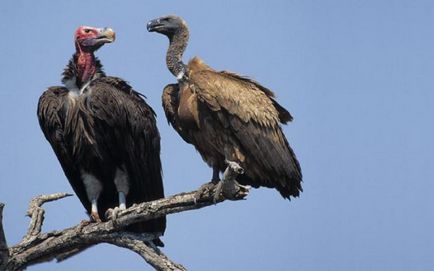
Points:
x=178 y=43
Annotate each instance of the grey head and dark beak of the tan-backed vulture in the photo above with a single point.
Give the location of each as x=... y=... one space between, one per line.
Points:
x=167 y=25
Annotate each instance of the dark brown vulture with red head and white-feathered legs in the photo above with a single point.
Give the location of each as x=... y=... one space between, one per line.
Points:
x=104 y=134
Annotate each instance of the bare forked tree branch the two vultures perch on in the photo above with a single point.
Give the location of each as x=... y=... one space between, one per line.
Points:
x=38 y=247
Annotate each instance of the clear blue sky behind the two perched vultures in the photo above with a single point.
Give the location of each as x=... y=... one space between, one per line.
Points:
x=356 y=75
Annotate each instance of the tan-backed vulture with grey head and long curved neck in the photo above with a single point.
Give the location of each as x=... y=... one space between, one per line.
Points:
x=227 y=117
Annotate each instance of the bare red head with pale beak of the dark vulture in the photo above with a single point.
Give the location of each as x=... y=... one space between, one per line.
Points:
x=90 y=39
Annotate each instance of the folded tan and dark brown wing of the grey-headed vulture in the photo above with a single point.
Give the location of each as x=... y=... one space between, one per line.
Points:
x=251 y=117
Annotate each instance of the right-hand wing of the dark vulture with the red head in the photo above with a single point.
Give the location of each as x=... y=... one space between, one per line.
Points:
x=126 y=124
